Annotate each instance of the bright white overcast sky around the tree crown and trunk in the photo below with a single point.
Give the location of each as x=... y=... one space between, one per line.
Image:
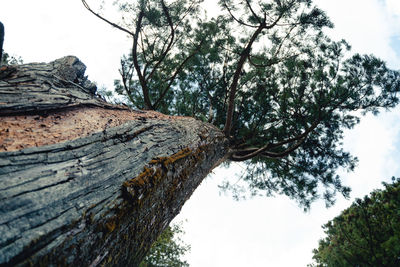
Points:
x=222 y=232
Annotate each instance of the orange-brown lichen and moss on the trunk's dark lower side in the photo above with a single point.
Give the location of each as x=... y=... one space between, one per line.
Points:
x=149 y=194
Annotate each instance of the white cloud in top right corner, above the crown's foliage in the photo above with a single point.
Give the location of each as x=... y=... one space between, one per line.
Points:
x=365 y=24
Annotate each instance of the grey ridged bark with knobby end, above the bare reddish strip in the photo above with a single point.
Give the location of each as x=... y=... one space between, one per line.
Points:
x=40 y=87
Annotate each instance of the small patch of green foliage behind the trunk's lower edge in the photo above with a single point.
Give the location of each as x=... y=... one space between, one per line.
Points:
x=168 y=249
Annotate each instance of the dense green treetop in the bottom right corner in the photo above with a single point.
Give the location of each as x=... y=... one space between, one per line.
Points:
x=365 y=234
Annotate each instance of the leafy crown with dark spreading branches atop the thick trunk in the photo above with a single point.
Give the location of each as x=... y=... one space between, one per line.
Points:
x=263 y=72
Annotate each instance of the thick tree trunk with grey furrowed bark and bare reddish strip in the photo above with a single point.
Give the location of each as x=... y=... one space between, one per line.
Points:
x=86 y=183
